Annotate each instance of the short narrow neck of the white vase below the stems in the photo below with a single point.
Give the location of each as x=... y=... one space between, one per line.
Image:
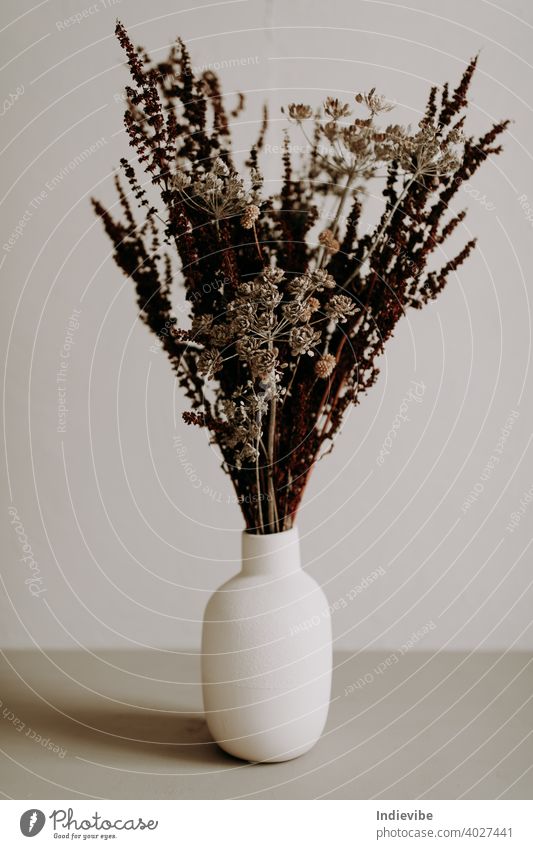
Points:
x=271 y=554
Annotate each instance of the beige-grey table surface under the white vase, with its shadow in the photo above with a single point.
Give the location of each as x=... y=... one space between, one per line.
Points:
x=129 y=725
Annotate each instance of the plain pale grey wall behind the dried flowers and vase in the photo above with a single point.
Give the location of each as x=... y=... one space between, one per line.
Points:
x=127 y=514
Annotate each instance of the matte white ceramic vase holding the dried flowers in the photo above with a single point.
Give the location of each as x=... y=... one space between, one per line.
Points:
x=266 y=654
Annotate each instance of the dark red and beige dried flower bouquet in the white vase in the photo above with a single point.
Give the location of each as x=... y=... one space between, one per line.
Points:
x=286 y=326
